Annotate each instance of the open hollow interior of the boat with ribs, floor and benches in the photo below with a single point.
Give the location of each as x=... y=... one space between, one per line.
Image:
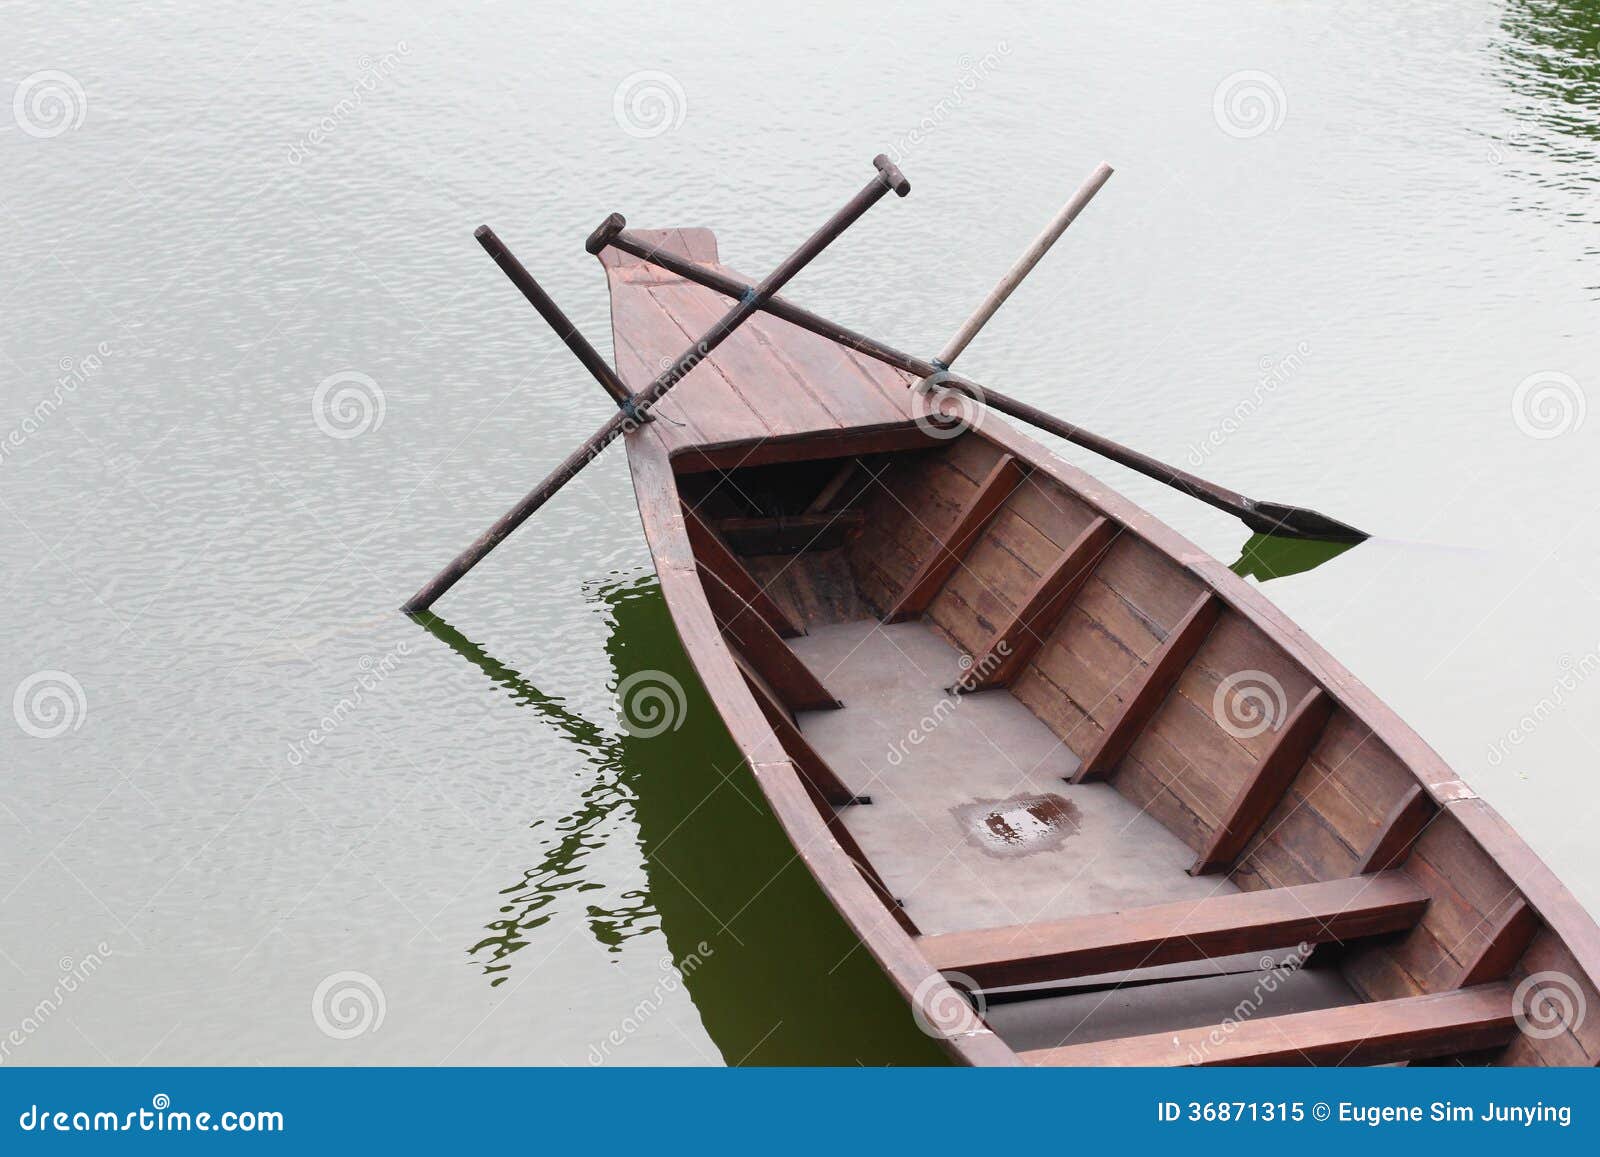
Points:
x=1103 y=801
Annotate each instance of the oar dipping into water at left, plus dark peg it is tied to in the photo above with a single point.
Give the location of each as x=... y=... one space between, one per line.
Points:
x=638 y=406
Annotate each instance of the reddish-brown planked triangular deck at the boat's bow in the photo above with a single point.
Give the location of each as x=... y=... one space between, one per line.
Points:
x=770 y=380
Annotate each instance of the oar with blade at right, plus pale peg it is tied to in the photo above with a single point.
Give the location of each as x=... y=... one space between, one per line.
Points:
x=1260 y=516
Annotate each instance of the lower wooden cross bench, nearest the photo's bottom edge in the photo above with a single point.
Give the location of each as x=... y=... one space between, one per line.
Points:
x=1378 y=1033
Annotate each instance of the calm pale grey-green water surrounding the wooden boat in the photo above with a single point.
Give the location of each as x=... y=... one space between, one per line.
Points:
x=1375 y=294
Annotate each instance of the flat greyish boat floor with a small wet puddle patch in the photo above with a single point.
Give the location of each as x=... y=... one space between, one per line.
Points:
x=974 y=822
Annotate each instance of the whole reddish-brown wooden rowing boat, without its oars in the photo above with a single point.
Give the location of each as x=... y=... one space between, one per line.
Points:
x=1084 y=793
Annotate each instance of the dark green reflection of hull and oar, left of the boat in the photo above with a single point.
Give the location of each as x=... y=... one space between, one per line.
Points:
x=783 y=982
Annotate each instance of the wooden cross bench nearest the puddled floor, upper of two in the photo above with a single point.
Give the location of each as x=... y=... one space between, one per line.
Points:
x=1188 y=931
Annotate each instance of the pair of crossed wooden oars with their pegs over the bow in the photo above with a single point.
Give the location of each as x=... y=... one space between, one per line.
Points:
x=934 y=375
